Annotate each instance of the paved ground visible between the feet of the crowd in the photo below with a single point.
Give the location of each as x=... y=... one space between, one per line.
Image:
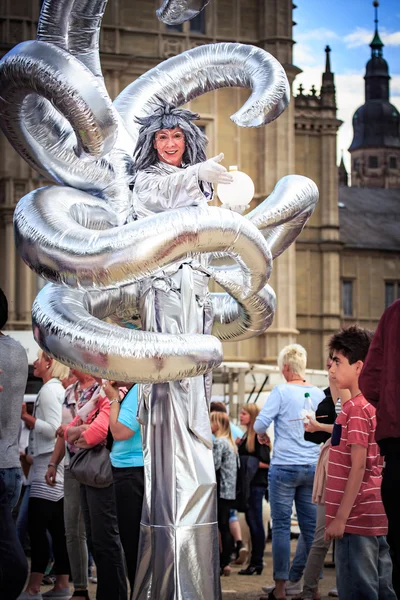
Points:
x=238 y=587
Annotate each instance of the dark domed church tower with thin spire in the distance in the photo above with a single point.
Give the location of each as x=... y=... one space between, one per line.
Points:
x=375 y=149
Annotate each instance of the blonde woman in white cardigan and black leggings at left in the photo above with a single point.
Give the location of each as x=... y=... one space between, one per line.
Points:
x=46 y=503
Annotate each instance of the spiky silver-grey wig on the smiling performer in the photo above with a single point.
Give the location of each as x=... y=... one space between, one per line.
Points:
x=167 y=116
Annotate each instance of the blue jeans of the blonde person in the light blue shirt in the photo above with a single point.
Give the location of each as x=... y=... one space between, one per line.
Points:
x=288 y=484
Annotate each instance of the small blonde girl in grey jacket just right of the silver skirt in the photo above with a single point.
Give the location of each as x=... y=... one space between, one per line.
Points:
x=226 y=463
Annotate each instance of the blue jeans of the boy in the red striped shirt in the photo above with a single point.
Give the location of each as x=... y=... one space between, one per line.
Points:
x=363 y=568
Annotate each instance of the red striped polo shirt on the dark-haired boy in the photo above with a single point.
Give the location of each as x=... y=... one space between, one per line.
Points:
x=356 y=425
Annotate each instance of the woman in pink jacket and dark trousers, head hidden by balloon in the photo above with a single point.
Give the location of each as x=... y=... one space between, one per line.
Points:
x=88 y=429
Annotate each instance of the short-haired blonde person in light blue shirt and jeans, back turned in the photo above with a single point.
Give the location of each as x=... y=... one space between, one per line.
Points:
x=293 y=463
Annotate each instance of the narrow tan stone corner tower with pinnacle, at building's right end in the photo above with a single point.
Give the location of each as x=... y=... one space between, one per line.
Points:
x=318 y=248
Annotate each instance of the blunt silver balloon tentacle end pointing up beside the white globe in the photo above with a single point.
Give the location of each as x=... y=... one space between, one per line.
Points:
x=282 y=216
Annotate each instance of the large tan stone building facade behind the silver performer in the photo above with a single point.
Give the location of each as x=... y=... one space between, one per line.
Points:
x=307 y=277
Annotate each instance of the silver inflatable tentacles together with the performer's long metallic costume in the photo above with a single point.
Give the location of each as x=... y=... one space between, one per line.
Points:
x=128 y=297
